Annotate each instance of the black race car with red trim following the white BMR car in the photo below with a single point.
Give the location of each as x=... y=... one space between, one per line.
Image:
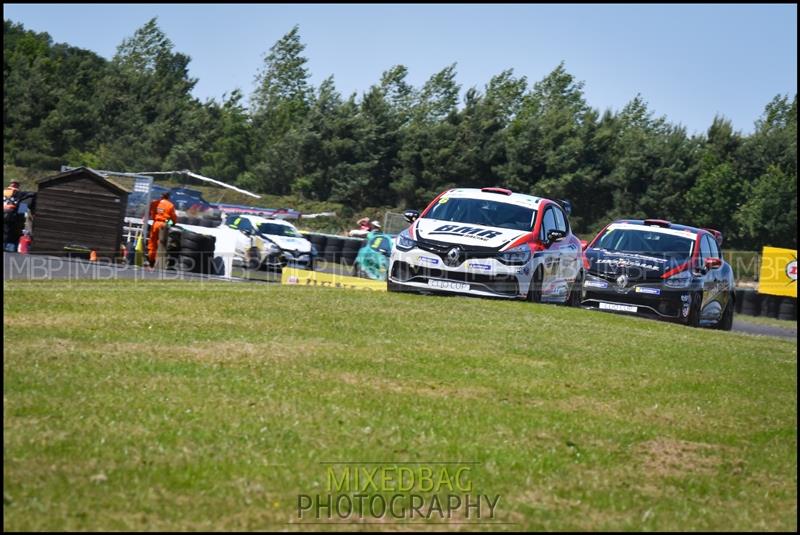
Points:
x=657 y=268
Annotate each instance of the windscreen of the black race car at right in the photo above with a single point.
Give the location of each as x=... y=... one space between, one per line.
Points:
x=646 y=242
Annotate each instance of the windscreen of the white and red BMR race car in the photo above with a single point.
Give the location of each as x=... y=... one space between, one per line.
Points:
x=483 y=212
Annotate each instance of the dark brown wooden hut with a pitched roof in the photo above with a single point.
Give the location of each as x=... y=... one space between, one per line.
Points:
x=78 y=210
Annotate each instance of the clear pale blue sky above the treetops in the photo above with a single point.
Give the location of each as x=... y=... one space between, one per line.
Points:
x=689 y=62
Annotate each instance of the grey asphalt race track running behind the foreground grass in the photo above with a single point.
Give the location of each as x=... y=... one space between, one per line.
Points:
x=40 y=267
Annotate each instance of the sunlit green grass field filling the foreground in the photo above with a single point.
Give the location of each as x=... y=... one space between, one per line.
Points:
x=212 y=406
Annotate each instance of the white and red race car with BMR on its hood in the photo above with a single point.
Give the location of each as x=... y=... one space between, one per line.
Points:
x=489 y=242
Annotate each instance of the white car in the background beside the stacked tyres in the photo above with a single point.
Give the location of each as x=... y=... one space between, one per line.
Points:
x=266 y=243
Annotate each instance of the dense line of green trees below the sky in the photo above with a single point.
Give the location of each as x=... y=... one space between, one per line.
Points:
x=395 y=144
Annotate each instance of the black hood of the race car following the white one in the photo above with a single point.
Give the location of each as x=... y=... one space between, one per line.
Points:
x=636 y=266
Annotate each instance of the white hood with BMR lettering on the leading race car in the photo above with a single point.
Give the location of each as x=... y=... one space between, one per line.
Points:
x=465 y=234
